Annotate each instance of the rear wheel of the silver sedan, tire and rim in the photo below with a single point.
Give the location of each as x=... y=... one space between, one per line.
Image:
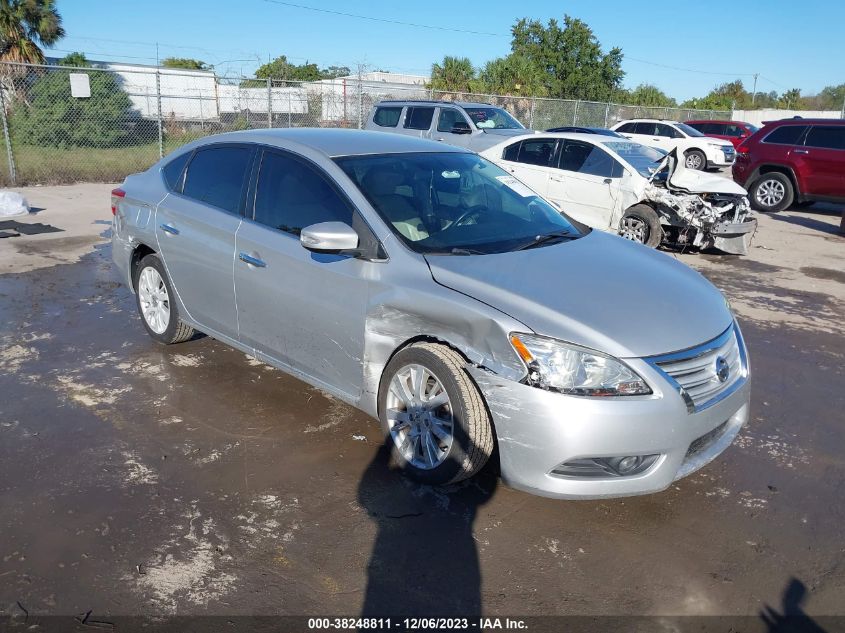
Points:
x=156 y=307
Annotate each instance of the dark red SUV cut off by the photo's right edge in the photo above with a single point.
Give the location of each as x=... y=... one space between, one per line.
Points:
x=793 y=160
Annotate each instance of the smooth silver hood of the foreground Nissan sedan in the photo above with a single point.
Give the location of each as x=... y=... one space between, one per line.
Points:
x=599 y=291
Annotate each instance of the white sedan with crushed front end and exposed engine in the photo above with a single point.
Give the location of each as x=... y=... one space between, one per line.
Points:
x=624 y=187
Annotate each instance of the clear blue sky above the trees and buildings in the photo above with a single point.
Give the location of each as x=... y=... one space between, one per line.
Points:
x=684 y=48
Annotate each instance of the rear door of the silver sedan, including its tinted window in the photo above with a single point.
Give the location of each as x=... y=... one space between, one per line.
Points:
x=195 y=228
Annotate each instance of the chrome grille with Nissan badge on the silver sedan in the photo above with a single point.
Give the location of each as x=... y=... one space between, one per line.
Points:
x=696 y=371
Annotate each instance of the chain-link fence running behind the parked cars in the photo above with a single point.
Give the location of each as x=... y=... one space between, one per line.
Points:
x=62 y=124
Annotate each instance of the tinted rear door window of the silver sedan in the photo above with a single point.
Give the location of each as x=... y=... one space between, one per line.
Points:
x=216 y=176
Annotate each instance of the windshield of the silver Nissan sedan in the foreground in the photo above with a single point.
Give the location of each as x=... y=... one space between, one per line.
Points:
x=456 y=203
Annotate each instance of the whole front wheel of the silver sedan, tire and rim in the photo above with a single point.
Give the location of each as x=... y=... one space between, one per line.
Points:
x=428 y=451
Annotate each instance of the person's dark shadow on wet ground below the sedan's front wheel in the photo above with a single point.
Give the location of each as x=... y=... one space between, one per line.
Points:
x=424 y=560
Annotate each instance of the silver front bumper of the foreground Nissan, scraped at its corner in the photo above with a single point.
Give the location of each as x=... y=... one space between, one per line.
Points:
x=539 y=430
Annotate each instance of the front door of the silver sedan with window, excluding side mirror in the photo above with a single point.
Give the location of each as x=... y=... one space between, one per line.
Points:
x=303 y=309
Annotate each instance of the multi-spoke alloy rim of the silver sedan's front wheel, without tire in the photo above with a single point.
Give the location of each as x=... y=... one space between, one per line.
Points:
x=419 y=416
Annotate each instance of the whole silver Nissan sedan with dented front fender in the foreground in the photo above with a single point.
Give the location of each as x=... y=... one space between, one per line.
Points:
x=434 y=291
